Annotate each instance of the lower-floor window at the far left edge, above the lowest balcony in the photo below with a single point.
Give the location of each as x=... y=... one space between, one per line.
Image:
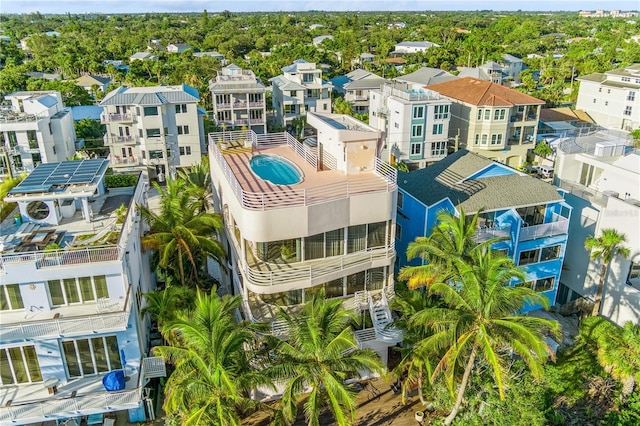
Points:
x=19 y=365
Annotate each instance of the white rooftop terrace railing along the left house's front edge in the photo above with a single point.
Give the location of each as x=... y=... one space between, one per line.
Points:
x=71 y=256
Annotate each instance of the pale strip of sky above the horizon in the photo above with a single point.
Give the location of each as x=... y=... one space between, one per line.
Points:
x=212 y=6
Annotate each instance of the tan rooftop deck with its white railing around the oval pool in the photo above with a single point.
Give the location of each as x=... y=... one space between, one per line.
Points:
x=318 y=186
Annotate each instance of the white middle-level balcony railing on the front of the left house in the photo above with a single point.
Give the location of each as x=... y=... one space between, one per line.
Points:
x=98 y=322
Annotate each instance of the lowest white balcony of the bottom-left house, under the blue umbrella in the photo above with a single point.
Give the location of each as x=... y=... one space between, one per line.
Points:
x=32 y=403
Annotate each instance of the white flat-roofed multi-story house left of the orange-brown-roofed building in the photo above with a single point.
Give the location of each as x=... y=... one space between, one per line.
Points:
x=415 y=123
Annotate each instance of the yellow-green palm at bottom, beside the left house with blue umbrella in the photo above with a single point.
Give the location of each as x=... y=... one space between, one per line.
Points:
x=213 y=376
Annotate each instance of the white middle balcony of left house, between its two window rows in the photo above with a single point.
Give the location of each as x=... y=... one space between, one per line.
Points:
x=106 y=315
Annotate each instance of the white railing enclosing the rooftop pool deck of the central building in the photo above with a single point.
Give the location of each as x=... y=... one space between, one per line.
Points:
x=294 y=197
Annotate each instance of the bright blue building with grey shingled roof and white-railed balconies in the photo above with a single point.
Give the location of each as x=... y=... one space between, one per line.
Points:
x=525 y=209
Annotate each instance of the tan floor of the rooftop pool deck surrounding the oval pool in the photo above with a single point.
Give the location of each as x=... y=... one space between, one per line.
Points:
x=312 y=178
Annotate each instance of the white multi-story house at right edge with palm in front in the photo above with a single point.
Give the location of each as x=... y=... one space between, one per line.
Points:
x=600 y=173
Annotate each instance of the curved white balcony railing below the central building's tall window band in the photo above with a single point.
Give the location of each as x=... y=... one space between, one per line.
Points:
x=317 y=269
